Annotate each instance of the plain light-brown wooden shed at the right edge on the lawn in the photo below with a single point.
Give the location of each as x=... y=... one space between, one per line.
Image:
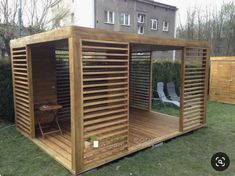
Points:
x=222 y=79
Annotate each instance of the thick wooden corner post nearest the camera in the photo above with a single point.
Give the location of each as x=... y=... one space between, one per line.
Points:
x=76 y=95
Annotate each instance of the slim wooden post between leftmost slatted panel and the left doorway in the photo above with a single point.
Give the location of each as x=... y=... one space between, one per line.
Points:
x=31 y=99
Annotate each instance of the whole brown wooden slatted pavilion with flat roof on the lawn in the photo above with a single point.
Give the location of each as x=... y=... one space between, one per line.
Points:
x=102 y=79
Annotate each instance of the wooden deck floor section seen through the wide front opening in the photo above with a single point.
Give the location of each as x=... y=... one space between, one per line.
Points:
x=148 y=126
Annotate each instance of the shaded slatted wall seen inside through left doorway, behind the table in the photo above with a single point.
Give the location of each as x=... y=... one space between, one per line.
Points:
x=63 y=83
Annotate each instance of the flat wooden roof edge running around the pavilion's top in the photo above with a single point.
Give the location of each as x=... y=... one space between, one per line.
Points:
x=101 y=34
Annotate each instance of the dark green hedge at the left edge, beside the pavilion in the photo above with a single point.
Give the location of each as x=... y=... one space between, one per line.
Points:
x=6 y=93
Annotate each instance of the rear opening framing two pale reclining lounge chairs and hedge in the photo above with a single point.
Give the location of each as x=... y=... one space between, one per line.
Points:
x=166 y=69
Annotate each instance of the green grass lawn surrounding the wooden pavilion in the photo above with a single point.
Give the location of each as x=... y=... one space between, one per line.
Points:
x=188 y=155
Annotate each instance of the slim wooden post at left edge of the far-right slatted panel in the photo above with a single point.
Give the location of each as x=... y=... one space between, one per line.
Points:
x=182 y=75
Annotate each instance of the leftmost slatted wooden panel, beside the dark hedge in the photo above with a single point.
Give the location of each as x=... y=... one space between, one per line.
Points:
x=22 y=90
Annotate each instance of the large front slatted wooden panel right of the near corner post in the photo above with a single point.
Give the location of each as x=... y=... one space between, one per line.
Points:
x=105 y=98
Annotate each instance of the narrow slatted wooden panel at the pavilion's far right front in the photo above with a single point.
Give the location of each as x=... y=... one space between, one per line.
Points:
x=194 y=88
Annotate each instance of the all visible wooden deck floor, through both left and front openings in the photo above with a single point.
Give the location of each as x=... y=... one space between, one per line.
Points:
x=145 y=128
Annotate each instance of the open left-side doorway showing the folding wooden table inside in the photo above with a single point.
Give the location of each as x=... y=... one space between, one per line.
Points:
x=51 y=93
